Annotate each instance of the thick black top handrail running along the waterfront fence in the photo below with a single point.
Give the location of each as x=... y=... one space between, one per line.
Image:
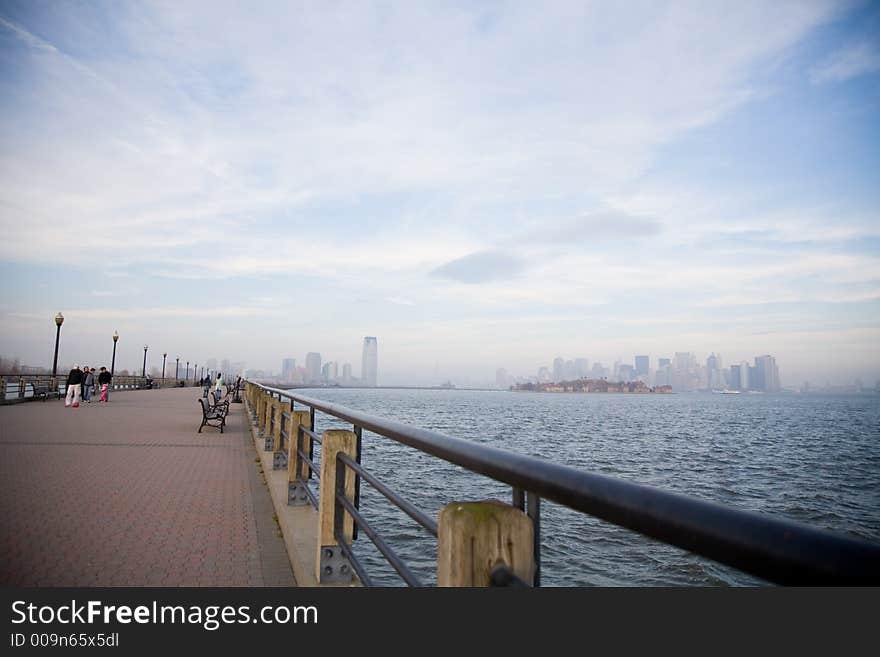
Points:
x=778 y=550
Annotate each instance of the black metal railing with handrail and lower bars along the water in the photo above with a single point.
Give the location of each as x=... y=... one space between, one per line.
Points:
x=776 y=550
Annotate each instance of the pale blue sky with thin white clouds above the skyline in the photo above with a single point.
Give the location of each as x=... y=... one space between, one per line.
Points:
x=478 y=185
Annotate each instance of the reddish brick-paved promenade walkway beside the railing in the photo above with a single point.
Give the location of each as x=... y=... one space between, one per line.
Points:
x=128 y=494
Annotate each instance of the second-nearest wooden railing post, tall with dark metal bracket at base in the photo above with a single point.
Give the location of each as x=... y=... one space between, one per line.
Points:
x=331 y=565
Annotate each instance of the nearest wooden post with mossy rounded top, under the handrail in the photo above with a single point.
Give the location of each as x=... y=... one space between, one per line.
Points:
x=475 y=537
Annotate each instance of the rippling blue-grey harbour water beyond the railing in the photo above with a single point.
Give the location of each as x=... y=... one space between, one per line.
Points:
x=812 y=459
